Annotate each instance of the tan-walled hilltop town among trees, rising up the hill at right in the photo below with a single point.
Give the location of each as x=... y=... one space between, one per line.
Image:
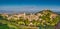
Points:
x=45 y=17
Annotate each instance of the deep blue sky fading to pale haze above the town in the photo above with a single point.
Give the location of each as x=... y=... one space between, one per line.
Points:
x=29 y=5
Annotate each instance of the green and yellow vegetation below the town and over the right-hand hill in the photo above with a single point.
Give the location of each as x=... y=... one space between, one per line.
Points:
x=43 y=22
